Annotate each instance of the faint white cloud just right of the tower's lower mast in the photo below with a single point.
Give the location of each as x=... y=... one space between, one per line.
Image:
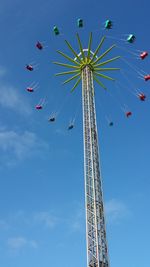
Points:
x=115 y=211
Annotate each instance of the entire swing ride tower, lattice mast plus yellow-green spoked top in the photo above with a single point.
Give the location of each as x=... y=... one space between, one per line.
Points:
x=88 y=67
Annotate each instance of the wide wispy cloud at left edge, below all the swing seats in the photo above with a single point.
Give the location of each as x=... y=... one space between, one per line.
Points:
x=18 y=146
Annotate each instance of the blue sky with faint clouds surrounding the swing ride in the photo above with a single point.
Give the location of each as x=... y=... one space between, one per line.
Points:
x=42 y=220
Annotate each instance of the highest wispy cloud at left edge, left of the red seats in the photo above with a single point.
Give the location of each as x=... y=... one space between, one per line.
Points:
x=11 y=98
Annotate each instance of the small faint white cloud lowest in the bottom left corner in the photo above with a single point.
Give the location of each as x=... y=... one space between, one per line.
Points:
x=17 y=243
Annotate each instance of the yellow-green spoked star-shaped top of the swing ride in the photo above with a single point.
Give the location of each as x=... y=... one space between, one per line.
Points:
x=87 y=58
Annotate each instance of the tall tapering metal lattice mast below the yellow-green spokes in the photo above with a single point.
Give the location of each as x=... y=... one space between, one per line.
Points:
x=97 y=255
